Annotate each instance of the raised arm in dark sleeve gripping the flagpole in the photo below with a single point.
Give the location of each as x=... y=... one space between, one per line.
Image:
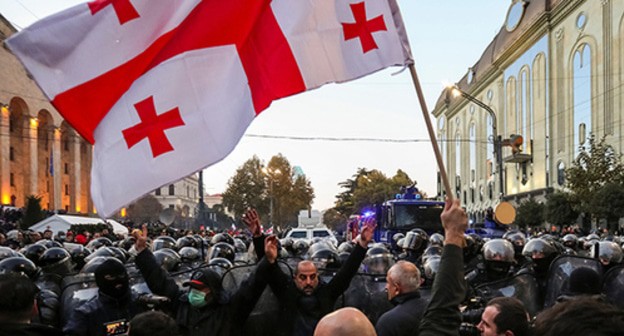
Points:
x=442 y=316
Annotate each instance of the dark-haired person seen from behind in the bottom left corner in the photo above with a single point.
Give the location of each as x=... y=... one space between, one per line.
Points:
x=18 y=306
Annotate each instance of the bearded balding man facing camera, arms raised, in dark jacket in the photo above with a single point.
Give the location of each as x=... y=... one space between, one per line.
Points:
x=304 y=300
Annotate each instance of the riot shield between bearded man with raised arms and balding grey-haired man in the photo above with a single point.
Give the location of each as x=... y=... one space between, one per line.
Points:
x=366 y=293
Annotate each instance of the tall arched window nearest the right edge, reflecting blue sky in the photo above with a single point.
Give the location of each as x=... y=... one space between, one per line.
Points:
x=582 y=76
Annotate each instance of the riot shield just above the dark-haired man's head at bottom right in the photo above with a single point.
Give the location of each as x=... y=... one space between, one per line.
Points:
x=523 y=287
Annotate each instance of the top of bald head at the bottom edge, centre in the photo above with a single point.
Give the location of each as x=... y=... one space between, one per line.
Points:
x=345 y=322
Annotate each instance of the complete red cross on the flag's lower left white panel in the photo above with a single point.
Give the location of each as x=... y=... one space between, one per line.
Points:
x=152 y=127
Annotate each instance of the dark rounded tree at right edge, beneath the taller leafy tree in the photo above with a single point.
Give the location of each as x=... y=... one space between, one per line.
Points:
x=608 y=203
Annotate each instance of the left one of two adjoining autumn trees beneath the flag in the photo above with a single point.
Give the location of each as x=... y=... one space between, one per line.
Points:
x=247 y=188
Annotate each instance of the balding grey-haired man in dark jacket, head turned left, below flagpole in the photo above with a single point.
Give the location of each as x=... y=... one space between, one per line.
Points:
x=402 y=285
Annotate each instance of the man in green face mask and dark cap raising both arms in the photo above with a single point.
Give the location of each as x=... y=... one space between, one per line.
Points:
x=206 y=308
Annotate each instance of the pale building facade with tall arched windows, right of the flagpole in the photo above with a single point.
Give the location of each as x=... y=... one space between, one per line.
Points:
x=553 y=75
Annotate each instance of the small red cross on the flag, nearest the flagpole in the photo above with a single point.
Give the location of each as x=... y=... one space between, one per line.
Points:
x=362 y=27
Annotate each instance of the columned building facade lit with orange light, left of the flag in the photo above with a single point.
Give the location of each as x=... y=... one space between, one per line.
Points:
x=40 y=154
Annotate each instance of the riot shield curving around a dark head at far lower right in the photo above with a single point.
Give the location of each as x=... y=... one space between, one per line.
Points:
x=559 y=275
